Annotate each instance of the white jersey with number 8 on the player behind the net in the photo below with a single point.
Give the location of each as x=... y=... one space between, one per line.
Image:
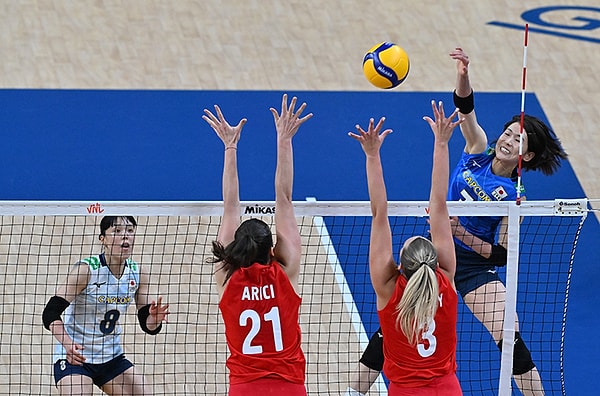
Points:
x=92 y=318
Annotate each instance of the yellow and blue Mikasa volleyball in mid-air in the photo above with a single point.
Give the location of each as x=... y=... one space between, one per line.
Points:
x=386 y=65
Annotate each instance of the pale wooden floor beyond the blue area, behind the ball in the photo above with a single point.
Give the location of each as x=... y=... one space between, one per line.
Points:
x=314 y=45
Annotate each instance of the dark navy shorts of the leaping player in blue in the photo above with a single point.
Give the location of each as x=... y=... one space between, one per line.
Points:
x=472 y=271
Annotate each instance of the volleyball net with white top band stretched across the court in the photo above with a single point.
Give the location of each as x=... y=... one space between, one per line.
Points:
x=41 y=240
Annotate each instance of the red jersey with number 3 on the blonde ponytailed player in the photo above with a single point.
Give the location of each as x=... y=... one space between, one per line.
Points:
x=434 y=356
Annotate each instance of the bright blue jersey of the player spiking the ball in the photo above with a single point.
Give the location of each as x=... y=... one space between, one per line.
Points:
x=473 y=180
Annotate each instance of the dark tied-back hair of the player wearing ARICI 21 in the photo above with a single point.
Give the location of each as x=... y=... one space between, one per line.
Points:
x=252 y=243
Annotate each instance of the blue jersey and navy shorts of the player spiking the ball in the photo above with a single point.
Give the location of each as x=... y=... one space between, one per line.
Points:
x=473 y=180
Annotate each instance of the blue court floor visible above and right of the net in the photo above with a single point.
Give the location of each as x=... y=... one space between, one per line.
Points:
x=103 y=145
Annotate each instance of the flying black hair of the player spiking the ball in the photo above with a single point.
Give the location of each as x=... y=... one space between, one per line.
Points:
x=542 y=141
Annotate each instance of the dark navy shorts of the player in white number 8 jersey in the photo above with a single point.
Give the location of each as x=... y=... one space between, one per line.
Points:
x=99 y=373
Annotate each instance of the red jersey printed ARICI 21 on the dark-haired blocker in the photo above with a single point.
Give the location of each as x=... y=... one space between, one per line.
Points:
x=260 y=310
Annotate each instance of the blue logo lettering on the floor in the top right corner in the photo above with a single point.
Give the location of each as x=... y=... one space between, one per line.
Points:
x=583 y=22
